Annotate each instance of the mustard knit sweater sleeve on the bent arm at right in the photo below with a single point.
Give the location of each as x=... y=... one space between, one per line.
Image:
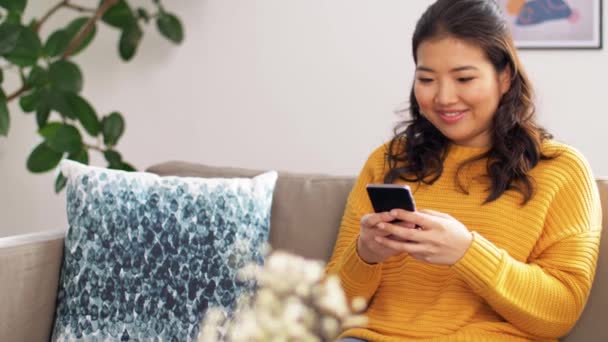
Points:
x=546 y=295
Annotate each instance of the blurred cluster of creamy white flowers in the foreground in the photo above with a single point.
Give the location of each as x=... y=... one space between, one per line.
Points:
x=294 y=302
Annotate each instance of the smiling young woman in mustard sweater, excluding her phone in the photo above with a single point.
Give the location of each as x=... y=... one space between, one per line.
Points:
x=508 y=221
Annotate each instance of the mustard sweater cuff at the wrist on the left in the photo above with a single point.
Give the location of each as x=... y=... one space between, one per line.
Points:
x=357 y=270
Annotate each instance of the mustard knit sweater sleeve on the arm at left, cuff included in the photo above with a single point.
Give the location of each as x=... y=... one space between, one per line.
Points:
x=358 y=278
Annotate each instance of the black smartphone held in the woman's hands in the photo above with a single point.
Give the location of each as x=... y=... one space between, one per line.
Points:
x=386 y=197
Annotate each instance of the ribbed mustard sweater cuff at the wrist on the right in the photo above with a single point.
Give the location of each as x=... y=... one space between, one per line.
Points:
x=481 y=264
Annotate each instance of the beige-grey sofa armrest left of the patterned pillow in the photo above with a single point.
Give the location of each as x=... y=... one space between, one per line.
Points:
x=29 y=278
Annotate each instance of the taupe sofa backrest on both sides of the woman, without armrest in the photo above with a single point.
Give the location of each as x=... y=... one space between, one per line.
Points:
x=307 y=210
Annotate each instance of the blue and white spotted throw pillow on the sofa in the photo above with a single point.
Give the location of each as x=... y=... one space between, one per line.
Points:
x=145 y=256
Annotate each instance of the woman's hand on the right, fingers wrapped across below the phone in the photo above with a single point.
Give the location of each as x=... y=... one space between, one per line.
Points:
x=441 y=239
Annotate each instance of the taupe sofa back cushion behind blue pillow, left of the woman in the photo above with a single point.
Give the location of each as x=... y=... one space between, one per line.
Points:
x=306 y=209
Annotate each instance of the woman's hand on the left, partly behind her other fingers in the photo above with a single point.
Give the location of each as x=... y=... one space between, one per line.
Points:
x=368 y=249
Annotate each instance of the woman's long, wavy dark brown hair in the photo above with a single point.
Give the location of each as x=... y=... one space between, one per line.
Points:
x=418 y=149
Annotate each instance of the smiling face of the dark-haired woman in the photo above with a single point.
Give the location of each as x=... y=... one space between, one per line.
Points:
x=458 y=89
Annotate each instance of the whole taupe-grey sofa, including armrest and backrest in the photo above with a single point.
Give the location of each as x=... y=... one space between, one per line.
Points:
x=306 y=213
